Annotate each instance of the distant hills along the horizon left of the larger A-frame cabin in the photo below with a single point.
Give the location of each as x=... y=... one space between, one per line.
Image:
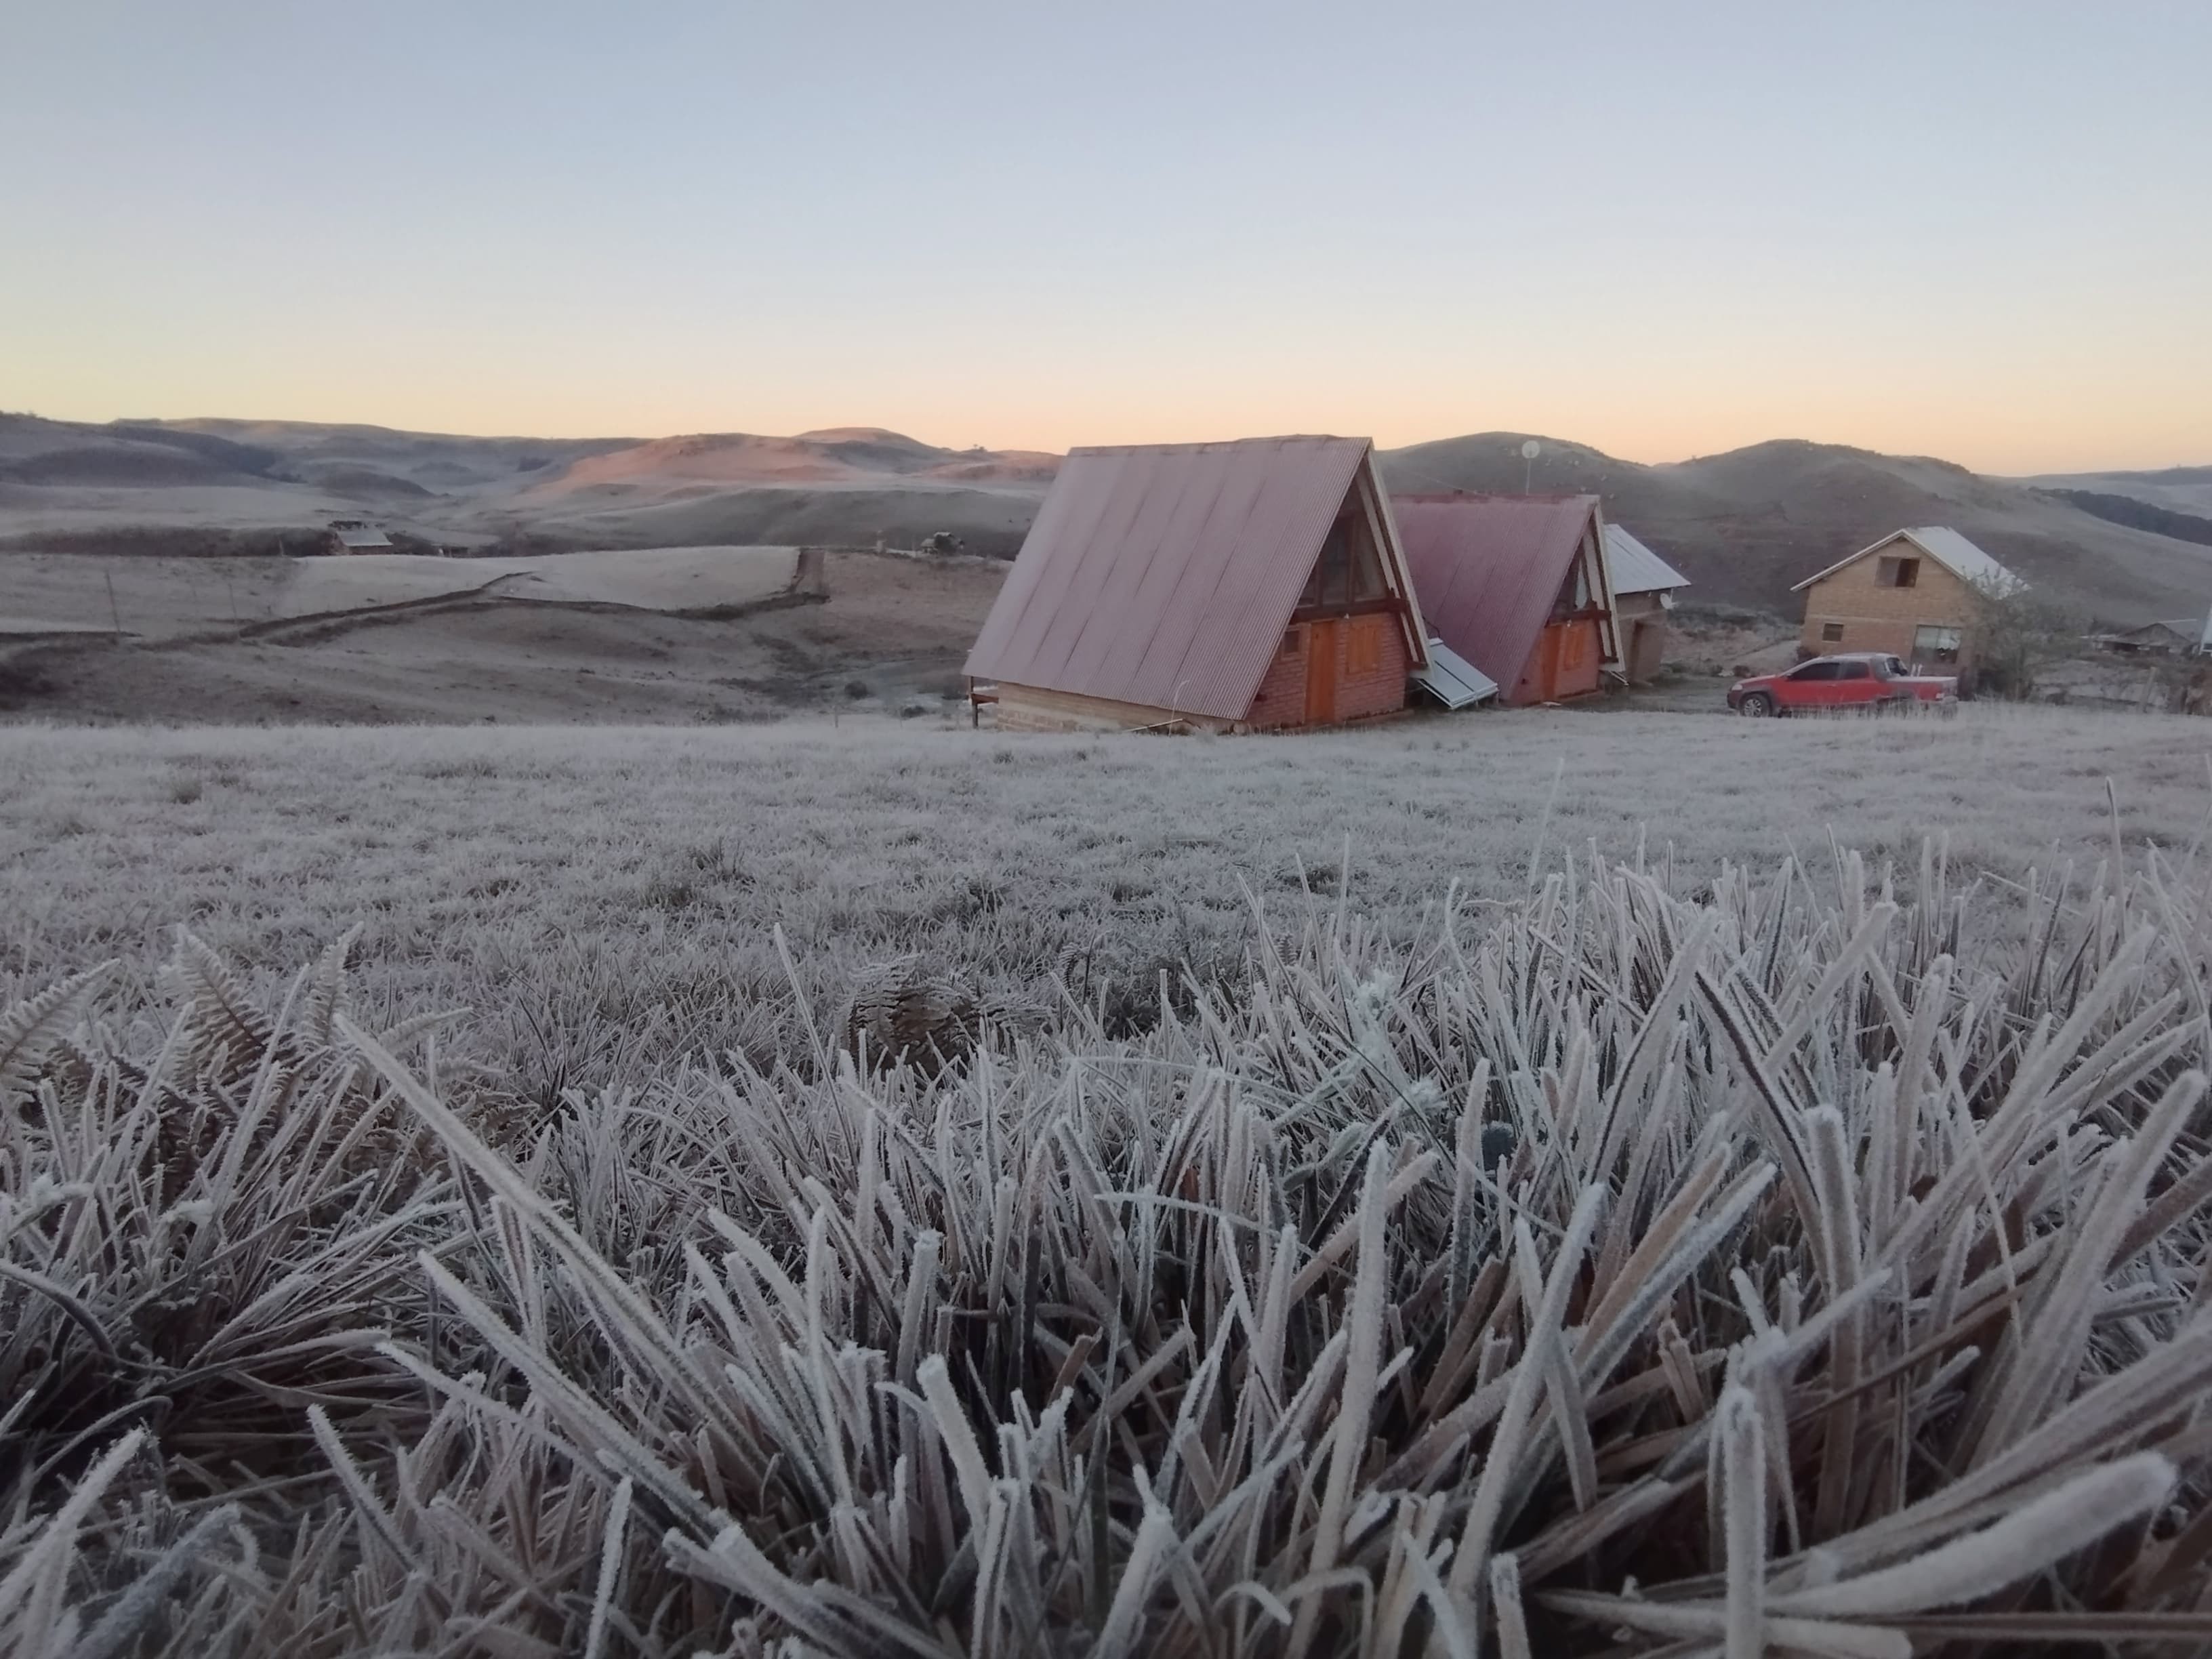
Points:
x=247 y=486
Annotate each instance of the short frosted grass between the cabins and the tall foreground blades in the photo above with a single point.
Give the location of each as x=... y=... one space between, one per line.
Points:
x=607 y=897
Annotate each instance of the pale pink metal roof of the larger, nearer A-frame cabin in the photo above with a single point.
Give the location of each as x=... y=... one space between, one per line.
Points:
x=1167 y=574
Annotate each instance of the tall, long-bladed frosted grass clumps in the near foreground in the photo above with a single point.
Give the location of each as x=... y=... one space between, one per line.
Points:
x=1605 y=1273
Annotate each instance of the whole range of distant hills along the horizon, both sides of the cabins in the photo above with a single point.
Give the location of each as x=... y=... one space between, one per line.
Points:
x=1744 y=525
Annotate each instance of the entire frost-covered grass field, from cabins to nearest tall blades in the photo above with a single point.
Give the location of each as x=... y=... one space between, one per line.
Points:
x=1669 y=1260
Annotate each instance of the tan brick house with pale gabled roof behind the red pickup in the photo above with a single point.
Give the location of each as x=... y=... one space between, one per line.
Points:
x=1910 y=596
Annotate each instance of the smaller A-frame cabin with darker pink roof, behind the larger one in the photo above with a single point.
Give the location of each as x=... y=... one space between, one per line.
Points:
x=1516 y=585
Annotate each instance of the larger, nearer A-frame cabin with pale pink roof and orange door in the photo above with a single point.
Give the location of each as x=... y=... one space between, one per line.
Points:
x=1246 y=585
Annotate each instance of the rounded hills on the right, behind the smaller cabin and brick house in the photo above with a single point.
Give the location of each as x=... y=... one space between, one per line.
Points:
x=1751 y=523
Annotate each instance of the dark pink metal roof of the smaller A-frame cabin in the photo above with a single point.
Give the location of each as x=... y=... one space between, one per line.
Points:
x=1488 y=570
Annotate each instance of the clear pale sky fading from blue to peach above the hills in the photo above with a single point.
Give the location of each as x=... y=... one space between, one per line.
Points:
x=1974 y=231
